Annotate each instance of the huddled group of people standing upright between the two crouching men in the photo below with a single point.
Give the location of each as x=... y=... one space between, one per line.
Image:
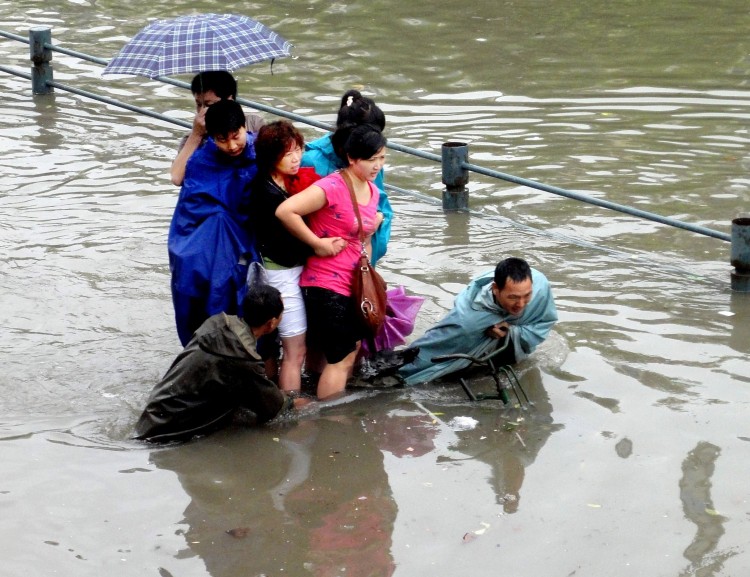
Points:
x=262 y=197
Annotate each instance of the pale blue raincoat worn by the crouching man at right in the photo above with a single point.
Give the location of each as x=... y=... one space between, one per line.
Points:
x=462 y=329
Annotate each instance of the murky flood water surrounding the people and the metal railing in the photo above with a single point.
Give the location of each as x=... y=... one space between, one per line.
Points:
x=632 y=459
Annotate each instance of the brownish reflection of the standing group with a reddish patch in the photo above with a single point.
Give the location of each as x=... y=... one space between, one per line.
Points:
x=288 y=505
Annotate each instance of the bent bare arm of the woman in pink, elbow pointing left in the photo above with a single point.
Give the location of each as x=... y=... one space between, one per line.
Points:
x=291 y=213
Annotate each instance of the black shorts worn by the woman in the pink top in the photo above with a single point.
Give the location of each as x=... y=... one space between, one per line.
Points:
x=333 y=326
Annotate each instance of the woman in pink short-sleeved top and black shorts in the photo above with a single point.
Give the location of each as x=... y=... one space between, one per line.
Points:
x=323 y=217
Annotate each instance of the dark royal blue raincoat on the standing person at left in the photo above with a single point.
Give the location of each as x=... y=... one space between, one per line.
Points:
x=209 y=244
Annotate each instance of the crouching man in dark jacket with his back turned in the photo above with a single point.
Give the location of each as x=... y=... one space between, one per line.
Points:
x=218 y=373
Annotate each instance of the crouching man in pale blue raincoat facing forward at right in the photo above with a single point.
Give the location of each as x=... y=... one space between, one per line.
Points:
x=514 y=298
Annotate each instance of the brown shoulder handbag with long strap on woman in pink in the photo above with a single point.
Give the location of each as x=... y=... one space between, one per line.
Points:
x=368 y=287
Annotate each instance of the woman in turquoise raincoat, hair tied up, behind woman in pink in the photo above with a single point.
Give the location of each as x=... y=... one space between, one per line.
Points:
x=324 y=156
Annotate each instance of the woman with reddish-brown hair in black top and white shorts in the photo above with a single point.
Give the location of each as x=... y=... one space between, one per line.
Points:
x=278 y=150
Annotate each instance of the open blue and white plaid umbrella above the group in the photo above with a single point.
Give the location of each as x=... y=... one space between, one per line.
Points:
x=197 y=43
